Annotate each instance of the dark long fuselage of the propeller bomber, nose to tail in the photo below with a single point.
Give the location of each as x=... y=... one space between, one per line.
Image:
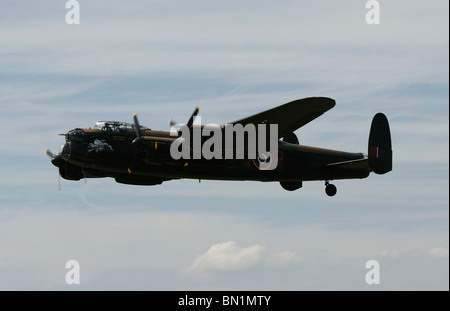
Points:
x=102 y=154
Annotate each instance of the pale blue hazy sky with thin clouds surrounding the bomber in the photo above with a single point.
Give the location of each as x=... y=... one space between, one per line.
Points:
x=232 y=58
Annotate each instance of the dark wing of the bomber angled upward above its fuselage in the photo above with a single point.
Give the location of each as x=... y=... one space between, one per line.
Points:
x=291 y=116
